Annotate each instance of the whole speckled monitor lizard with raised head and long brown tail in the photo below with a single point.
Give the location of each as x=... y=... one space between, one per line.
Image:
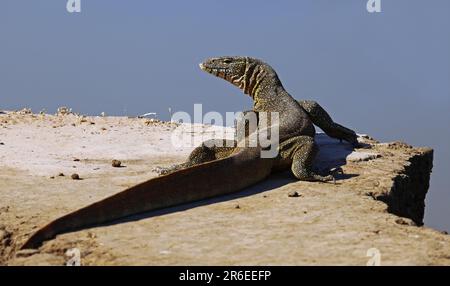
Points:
x=213 y=171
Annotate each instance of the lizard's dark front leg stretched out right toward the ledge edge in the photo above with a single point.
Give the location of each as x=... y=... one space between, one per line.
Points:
x=320 y=118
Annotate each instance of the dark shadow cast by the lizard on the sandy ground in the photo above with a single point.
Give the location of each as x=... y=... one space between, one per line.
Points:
x=331 y=155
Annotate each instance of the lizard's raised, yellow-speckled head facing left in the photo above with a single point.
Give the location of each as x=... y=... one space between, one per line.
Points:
x=244 y=72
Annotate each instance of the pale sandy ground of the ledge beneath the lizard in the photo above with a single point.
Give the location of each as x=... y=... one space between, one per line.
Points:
x=326 y=224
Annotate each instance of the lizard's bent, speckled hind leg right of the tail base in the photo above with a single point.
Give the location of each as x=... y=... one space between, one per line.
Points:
x=303 y=150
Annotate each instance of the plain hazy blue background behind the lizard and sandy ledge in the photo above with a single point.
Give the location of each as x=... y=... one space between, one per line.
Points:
x=386 y=74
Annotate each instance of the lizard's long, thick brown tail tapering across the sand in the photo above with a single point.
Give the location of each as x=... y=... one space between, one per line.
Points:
x=188 y=185
